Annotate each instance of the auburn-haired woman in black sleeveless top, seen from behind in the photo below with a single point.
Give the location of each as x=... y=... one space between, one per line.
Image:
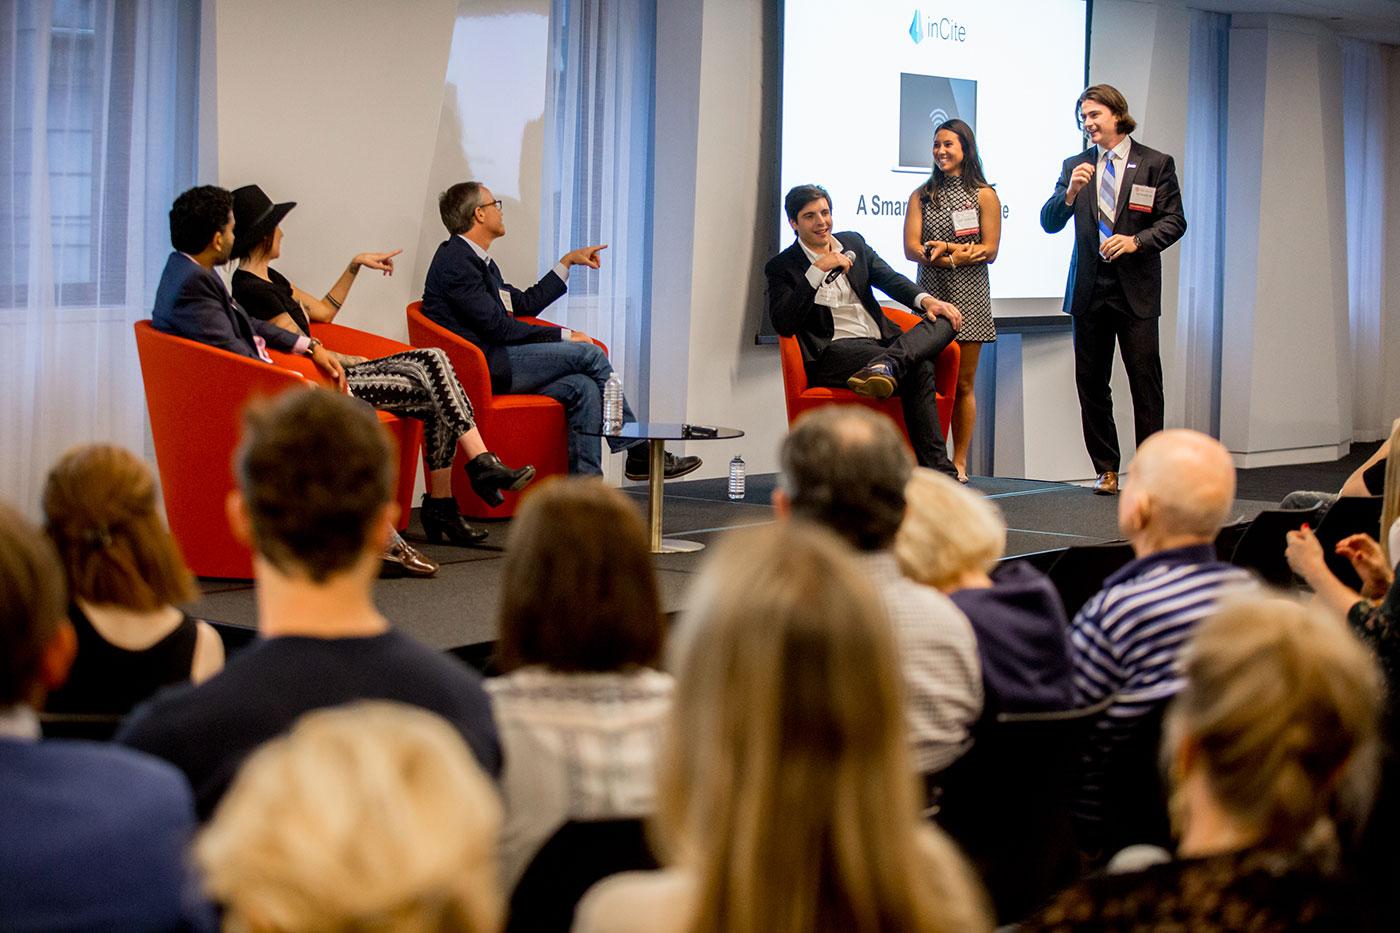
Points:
x=125 y=578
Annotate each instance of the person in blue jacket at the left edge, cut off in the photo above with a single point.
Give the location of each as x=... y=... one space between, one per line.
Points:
x=94 y=836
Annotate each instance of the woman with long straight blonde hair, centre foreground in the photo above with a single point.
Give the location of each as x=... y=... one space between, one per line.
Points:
x=787 y=803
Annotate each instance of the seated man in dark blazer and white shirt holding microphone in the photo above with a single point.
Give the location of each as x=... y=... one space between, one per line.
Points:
x=820 y=291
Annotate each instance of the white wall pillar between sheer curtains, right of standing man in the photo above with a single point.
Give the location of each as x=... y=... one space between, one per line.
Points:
x=1286 y=345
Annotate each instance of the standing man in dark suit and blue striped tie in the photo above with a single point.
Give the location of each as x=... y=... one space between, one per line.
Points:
x=1128 y=209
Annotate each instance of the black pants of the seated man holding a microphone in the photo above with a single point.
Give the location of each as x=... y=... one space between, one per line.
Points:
x=912 y=357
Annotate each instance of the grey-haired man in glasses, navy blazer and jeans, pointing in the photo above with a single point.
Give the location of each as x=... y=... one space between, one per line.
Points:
x=467 y=295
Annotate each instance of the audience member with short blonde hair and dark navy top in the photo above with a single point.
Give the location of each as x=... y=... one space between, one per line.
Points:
x=953 y=540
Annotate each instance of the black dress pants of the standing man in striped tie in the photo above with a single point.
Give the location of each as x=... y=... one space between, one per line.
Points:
x=1107 y=323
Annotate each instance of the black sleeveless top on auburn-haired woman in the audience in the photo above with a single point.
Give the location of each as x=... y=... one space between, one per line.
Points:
x=107 y=679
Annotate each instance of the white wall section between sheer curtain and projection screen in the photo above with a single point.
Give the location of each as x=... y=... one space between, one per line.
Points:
x=715 y=176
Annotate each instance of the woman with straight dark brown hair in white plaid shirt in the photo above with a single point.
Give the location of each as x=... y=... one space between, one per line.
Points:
x=582 y=707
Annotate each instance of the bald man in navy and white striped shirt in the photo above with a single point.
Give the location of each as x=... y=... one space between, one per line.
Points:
x=1126 y=641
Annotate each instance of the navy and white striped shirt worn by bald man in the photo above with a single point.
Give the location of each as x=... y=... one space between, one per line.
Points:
x=1125 y=644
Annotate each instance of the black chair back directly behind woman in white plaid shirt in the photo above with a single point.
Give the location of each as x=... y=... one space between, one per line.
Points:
x=575 y=859
